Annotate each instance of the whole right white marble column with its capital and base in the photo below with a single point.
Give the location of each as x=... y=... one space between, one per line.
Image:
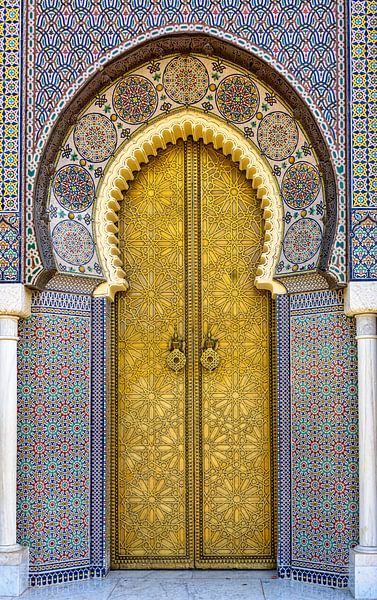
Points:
x=361 y=302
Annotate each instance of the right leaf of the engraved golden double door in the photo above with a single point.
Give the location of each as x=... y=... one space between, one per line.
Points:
x=234 y=491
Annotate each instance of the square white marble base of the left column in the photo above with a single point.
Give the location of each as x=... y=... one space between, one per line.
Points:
x=14 y=570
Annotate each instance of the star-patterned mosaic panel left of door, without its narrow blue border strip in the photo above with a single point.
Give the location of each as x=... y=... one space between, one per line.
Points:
x=54 y=477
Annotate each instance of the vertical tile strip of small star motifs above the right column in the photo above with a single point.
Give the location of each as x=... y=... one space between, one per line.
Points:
x=363 y=155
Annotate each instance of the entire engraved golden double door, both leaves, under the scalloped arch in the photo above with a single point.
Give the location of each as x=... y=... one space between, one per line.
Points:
x=192 y=449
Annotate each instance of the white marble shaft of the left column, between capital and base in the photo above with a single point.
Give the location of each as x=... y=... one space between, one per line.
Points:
x=8 y=430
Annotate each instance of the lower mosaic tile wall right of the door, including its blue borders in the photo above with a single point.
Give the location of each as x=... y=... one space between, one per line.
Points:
x=318 y=444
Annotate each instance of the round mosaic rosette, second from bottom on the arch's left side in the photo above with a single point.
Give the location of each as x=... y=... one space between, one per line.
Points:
x=74 y=188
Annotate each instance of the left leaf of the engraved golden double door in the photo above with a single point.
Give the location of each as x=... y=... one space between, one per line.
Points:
x=152 y=505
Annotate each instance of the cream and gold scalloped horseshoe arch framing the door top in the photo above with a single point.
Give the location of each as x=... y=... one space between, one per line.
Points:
x=136 y=152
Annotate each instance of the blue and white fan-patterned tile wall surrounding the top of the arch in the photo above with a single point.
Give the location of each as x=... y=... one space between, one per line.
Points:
x=303 y=40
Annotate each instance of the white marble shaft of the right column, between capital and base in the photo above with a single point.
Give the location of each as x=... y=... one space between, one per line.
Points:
x=367 y=375
